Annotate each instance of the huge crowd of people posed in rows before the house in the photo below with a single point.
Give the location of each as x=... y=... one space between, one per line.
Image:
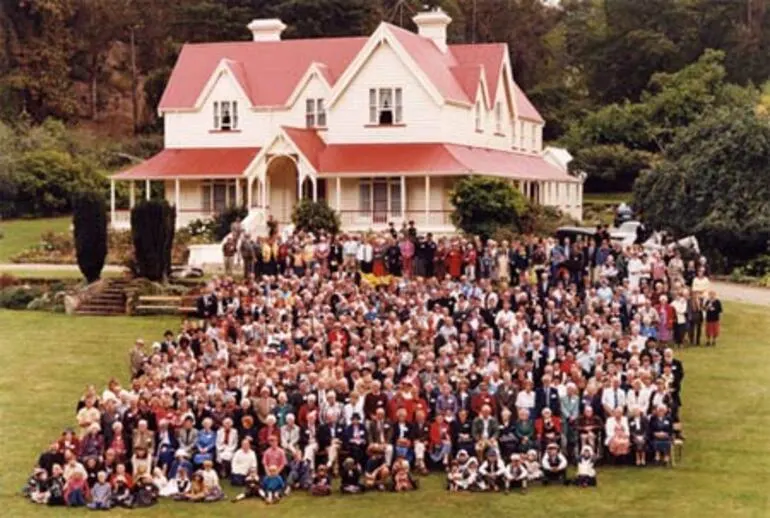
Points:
x=363 y=362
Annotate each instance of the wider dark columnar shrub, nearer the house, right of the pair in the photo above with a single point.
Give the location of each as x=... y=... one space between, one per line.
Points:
x=152 y=230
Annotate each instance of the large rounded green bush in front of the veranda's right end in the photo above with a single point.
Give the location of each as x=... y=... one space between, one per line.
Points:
x=484 y=205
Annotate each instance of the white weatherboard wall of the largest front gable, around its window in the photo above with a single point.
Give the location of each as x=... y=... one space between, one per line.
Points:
x=350 y=114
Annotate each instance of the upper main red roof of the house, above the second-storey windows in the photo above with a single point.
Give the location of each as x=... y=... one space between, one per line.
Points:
x=269 y=71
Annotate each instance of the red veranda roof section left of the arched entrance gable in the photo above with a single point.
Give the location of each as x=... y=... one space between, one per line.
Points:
x=192 y=162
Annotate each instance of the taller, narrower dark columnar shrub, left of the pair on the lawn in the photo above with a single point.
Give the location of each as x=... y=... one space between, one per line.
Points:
x=90 y=222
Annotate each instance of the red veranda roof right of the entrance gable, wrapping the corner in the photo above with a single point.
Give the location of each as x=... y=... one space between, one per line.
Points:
x=436 y=159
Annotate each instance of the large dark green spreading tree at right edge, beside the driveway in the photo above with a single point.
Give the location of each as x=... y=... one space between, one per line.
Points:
x=714 y=181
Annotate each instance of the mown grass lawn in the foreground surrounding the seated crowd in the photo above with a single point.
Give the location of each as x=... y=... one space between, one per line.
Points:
x=47 y=360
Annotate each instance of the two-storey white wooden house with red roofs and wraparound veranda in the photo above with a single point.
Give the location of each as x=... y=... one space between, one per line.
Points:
x=380 y=127
